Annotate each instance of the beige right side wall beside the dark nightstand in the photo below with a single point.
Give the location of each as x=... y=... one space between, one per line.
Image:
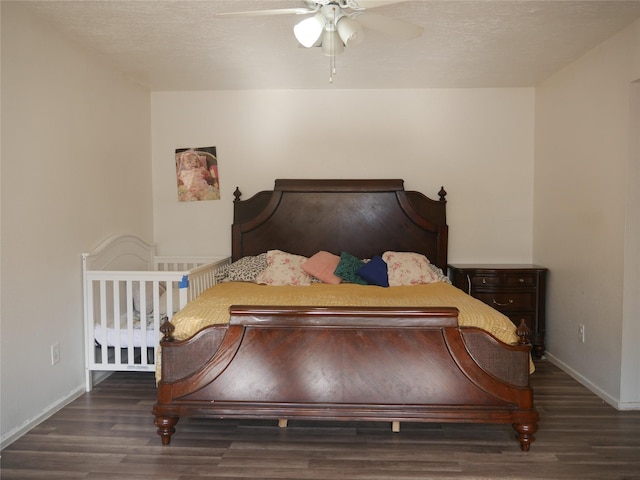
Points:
x=586 y=216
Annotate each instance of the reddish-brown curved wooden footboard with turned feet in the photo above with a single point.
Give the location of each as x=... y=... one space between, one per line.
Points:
x=382 y=364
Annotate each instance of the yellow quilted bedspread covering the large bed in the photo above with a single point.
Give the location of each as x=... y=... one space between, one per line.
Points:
x=212 y=307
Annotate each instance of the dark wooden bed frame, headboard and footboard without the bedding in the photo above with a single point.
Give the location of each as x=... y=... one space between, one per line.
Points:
x=412 y=364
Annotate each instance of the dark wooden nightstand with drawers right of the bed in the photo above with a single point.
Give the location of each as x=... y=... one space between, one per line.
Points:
x=516 y=290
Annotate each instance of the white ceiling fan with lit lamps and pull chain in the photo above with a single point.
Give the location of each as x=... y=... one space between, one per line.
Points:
x=334 y=24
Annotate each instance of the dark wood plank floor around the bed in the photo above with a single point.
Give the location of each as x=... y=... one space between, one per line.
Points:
x=109 y=434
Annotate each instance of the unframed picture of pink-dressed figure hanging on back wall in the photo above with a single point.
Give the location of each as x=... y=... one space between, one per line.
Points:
x=197 y=174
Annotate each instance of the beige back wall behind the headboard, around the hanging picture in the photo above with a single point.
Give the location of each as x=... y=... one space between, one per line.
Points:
x=478 y=143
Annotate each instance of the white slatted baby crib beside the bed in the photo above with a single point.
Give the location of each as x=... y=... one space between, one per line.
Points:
x=128 y=291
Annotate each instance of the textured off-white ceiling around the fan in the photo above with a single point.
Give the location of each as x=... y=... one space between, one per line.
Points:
x=182 y=45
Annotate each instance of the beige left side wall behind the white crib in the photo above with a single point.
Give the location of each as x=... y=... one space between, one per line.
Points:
x=75 y=168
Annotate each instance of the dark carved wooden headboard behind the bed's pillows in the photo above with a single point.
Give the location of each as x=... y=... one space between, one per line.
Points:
x=362 y=217
